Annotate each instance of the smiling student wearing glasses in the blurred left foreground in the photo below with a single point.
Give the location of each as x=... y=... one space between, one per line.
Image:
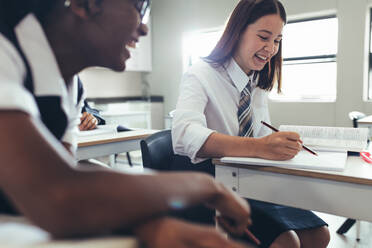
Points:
x=43 y=43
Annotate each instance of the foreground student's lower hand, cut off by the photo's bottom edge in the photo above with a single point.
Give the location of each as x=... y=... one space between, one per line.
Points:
x=170 y=233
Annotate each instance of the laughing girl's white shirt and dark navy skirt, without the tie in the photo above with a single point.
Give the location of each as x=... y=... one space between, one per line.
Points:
x=209 y=102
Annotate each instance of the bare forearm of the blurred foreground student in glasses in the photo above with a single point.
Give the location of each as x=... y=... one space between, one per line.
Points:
x=94 y=202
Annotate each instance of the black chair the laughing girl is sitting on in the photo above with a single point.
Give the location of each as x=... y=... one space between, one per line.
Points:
x=157 y=154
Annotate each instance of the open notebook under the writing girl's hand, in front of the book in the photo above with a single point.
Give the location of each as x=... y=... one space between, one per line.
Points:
x=327 y=161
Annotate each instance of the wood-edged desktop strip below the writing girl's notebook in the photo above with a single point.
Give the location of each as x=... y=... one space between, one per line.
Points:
x=356 y=171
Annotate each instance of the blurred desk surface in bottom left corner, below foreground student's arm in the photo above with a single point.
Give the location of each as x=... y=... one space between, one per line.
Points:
x=18 y=232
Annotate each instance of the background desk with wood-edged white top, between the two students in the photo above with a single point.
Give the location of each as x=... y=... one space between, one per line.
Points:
x=112 y=143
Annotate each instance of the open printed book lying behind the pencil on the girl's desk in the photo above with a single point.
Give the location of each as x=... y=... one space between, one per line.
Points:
x=331 y=138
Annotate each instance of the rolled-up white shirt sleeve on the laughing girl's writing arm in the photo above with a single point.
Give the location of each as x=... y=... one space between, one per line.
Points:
x=189 y=126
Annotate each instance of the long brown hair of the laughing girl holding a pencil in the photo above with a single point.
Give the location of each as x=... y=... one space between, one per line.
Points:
x=244 y=14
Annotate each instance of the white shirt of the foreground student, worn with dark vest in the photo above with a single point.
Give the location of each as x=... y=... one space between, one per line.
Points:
x=47 y=78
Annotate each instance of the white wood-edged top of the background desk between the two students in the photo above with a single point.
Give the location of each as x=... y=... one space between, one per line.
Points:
x=114 y=137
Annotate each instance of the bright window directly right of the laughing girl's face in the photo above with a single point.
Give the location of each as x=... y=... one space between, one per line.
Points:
x=309 y=66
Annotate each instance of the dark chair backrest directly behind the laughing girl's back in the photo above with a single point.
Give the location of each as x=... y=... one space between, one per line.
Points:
x=157 y=150
